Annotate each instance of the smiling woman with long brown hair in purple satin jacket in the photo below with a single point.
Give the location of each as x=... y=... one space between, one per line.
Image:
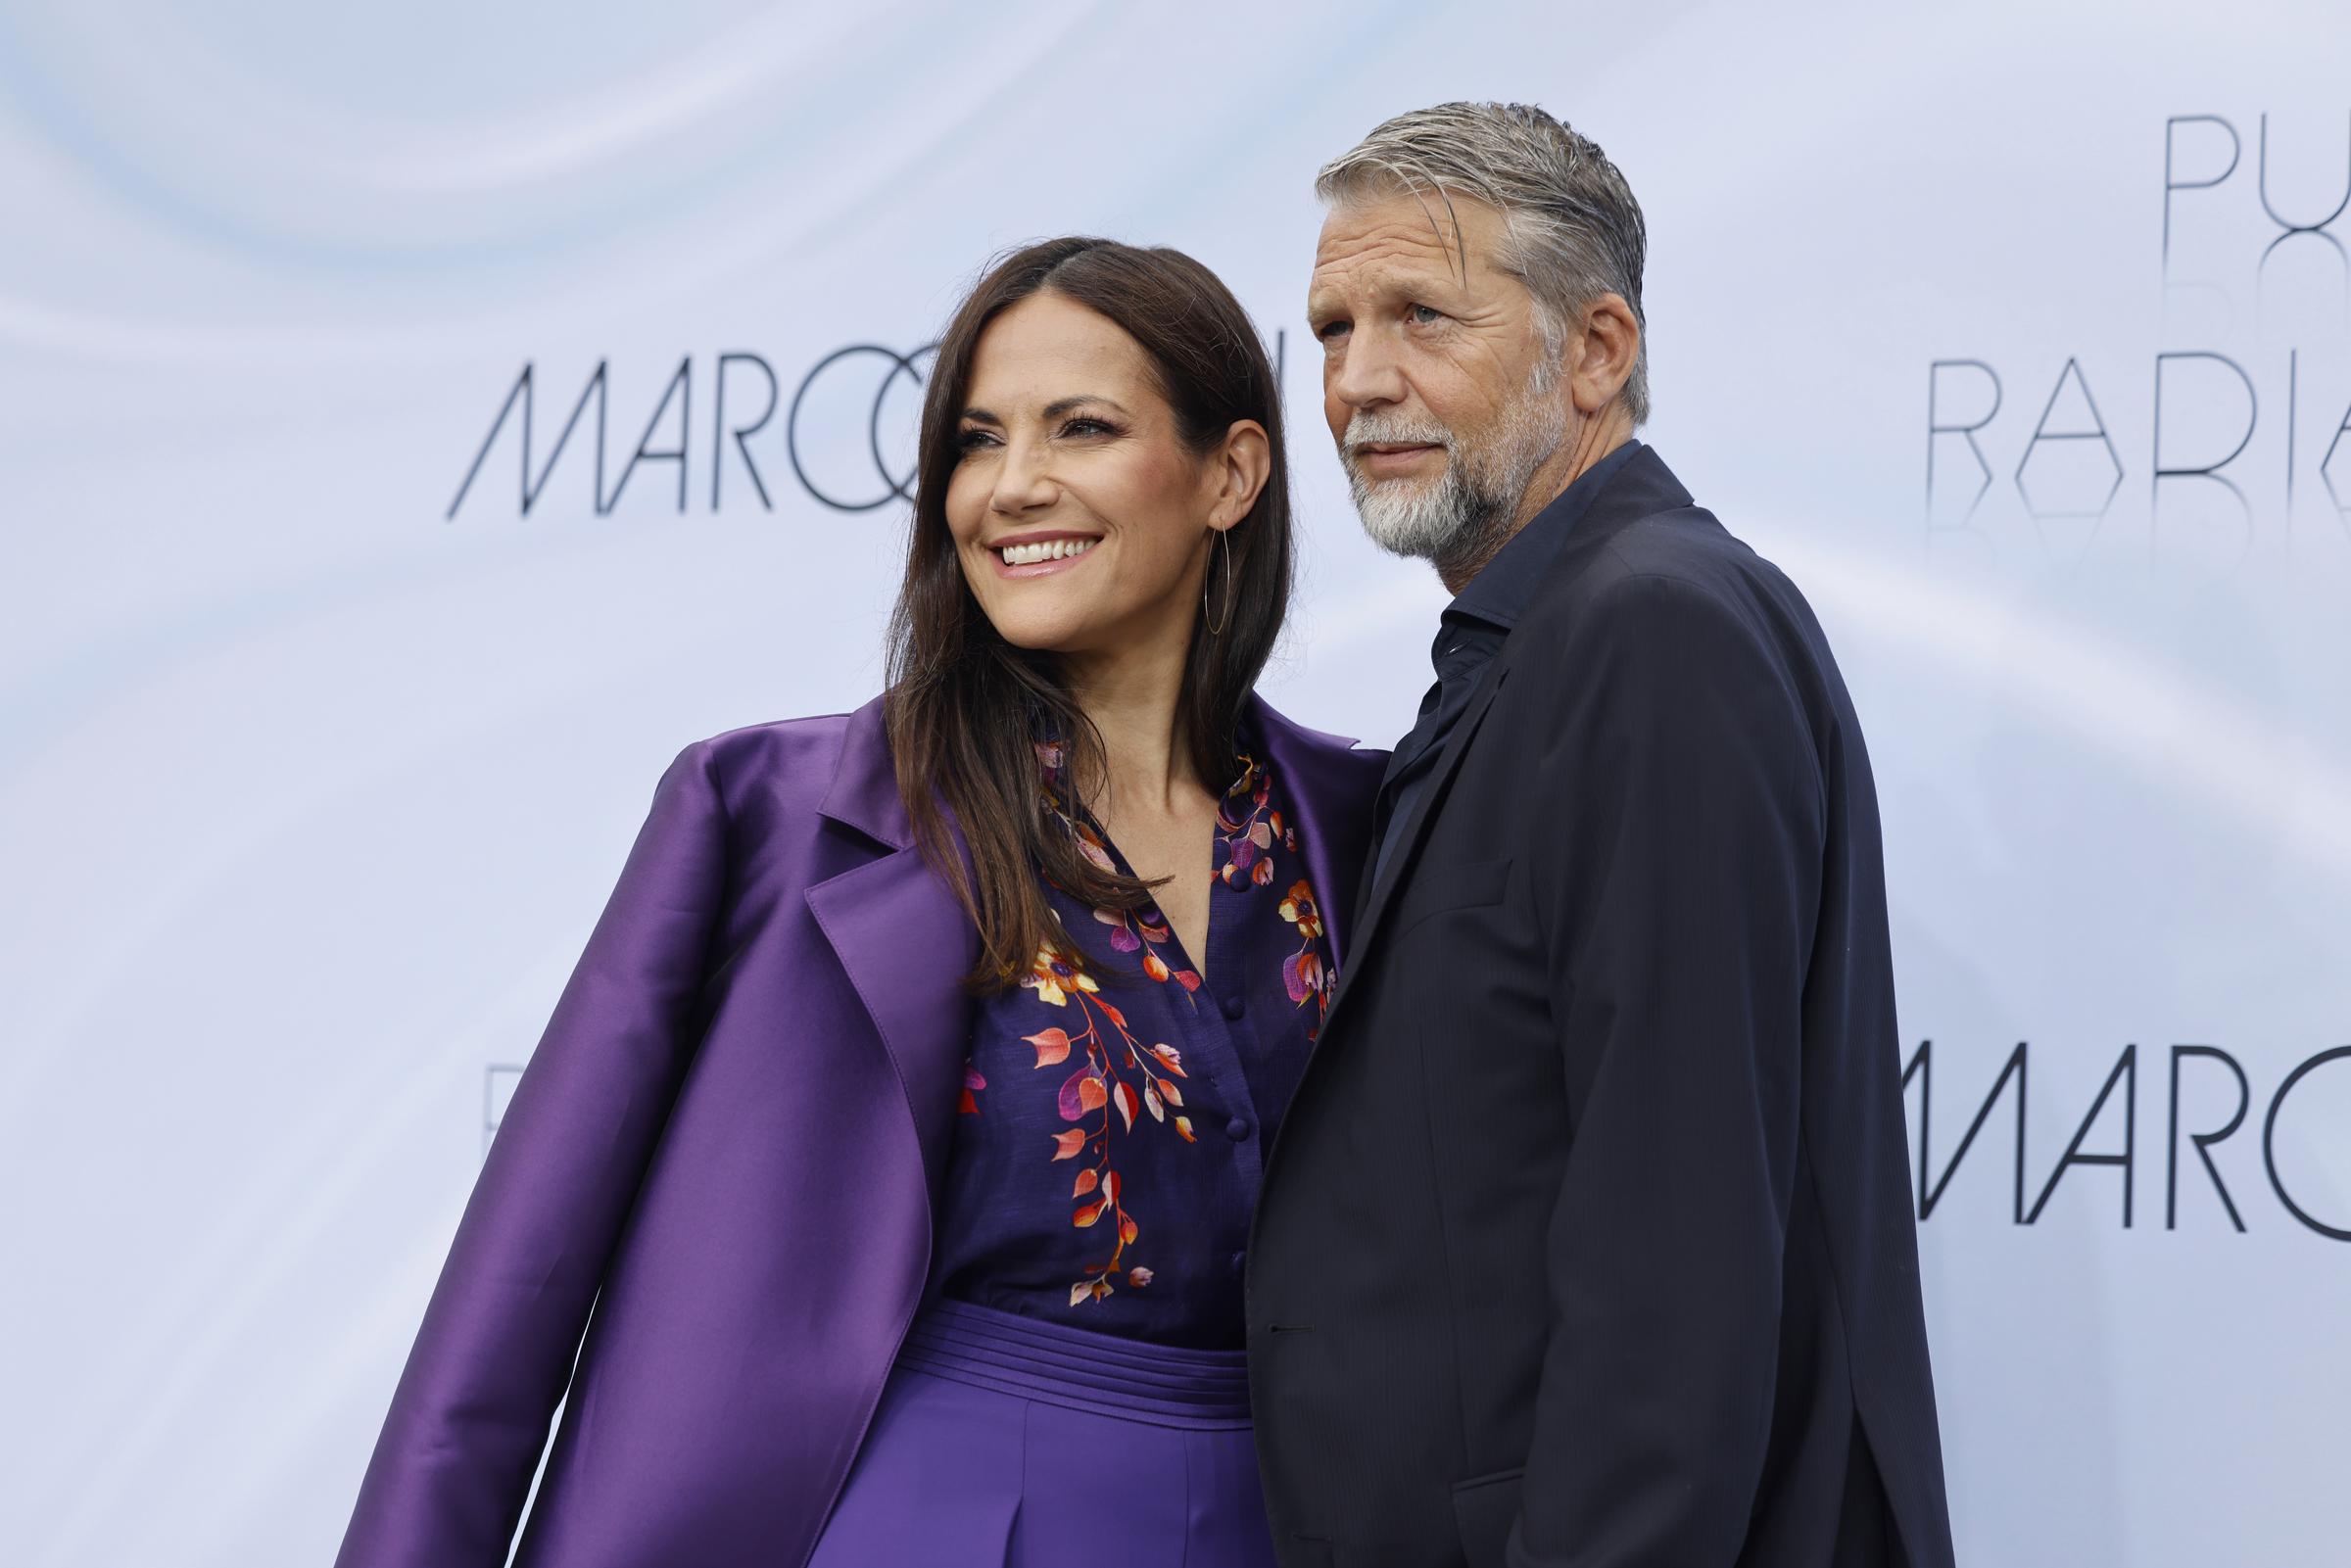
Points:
x=906 y=1111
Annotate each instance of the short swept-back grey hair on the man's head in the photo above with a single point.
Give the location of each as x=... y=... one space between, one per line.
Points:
x=1574 y=229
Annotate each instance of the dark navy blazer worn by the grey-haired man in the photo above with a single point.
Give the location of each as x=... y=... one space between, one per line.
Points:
x=1590 y=1235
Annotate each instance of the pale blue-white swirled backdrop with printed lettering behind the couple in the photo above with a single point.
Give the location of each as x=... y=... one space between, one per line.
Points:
x=314 y=782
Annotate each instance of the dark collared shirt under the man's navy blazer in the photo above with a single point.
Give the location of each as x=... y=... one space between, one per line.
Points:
x=1468 y=636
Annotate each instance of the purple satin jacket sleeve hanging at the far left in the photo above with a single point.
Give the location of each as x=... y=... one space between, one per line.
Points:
x=495 y=1355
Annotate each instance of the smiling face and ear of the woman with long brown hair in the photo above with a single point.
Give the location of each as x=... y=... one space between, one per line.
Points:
x=1078 y=514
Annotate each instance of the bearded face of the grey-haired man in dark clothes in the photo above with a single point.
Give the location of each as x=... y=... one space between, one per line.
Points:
x=1438 y=382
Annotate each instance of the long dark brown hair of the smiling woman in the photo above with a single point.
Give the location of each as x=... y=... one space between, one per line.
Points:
x=967 y=709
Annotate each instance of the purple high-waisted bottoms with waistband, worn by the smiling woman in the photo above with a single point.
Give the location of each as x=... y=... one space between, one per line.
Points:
x=1007 y=1442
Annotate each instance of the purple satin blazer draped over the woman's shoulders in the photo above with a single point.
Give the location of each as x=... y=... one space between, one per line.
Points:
x=730 y=1146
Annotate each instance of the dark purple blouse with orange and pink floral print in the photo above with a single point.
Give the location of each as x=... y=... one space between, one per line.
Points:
x=1118 y=1115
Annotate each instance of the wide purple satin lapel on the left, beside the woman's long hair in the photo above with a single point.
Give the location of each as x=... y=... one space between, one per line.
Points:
x=902 y=937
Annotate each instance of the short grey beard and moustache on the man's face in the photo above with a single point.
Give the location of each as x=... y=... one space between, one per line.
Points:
x=1463 y=514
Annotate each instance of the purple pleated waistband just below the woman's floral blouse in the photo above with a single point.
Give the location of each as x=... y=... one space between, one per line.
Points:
x=1078 y=1367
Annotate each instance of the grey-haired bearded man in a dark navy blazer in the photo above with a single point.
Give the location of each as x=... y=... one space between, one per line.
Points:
x=1588 y=1242
